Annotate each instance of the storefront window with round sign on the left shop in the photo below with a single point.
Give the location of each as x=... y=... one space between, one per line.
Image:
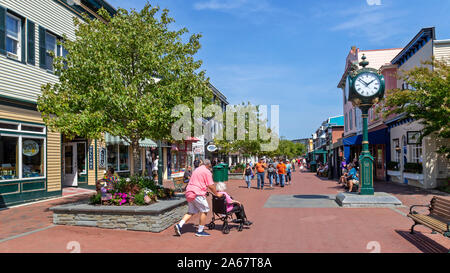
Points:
x=32 y=157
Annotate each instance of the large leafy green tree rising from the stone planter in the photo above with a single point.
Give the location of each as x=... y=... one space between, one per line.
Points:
x=124 y=77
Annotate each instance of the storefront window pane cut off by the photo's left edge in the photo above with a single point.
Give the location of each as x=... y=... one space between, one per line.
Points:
x=8 y=158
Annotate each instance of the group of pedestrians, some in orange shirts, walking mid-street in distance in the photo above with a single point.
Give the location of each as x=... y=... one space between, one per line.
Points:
x=277 y=171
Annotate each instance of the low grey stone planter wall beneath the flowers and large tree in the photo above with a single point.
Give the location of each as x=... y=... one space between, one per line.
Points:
x=153 y=218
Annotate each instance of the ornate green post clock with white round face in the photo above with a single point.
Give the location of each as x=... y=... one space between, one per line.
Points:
x=365 y=88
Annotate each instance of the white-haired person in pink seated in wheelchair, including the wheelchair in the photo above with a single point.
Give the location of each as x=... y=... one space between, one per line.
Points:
x=224 y=207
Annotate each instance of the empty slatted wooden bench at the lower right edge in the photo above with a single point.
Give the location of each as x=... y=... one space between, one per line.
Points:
x=438 y=220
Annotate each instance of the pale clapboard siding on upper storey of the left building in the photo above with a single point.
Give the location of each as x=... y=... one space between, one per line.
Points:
x=24 y=81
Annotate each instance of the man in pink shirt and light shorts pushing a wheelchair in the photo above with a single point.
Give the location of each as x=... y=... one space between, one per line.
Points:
x=201 y=180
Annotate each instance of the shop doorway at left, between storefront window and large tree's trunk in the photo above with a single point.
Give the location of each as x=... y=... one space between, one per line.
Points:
x=74 y=163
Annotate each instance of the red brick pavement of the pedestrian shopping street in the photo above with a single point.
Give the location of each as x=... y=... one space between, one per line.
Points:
x=275 y=229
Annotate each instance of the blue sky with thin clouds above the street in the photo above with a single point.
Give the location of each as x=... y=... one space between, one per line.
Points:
x=292 y=53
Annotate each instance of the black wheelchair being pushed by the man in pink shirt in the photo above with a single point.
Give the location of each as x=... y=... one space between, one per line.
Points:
x=219 y=209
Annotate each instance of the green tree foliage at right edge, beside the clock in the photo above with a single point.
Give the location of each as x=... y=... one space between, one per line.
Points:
x=427 y=101
